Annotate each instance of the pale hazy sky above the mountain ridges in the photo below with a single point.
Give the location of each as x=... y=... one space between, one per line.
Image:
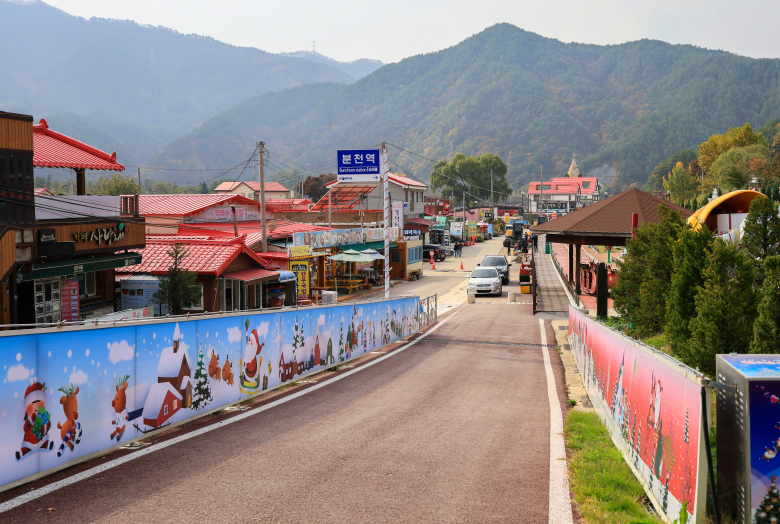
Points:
x=390 y=31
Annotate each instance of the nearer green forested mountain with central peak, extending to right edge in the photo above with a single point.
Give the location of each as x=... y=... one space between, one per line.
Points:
x=532 y=100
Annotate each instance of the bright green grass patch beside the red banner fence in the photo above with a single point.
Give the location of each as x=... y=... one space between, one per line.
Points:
x=604 y=487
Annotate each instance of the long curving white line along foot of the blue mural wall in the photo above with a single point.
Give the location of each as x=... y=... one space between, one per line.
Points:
x=54 y=486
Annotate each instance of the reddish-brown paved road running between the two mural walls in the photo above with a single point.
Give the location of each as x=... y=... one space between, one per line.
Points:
x=463 y=425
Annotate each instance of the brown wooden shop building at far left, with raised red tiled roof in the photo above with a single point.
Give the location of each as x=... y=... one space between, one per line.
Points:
x=58 y=254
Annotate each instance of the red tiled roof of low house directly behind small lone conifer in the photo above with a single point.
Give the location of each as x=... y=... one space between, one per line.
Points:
x=210 y=257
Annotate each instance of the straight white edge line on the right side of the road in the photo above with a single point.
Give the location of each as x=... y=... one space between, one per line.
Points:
x=559 y=511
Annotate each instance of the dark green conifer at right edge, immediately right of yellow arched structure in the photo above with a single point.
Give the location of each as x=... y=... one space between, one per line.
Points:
x=761 y=238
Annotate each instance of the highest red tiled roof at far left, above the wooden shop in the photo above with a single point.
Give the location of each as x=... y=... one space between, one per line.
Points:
x=52 y=149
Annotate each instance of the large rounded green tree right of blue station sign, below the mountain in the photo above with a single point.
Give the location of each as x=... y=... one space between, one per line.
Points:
x=472 y=175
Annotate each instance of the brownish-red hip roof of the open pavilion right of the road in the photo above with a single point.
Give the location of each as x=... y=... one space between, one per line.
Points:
x=611 y=216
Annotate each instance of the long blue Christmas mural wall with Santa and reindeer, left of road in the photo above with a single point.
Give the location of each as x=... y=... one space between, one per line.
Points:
x=71 y=393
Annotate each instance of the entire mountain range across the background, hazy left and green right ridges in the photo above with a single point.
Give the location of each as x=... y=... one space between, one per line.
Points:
x=197 y=103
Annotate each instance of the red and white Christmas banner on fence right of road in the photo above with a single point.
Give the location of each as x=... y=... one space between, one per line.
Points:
x=651 y=405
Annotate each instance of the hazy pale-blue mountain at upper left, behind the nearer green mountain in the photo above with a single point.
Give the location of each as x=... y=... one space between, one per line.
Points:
x=120 y=71
